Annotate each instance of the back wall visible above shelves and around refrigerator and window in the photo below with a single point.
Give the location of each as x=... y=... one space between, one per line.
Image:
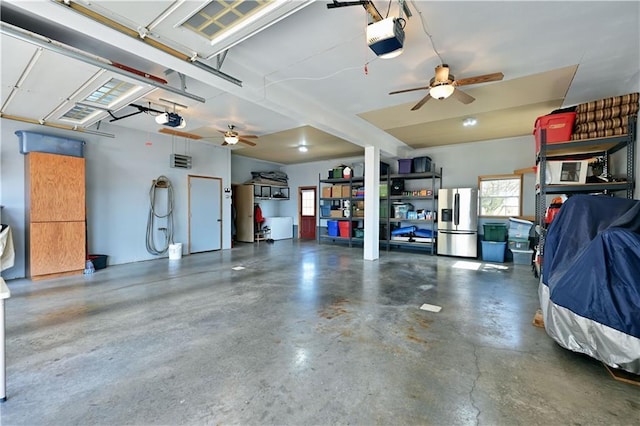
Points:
x=461 y=166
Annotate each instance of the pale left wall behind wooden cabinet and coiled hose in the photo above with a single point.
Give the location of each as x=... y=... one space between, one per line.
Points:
x=120 y=171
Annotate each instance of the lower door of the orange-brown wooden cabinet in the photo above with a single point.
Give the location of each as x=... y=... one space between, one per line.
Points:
x=56 y=247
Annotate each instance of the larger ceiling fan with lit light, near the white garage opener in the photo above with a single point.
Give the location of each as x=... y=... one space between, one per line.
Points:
x=444 y=84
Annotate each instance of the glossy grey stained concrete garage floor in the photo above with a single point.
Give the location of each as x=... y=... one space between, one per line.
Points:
x=306 y=334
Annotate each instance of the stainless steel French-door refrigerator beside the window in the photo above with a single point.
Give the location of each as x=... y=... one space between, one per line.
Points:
x=458 y=222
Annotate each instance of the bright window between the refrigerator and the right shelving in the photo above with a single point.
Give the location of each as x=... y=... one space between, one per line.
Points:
x=500 y=195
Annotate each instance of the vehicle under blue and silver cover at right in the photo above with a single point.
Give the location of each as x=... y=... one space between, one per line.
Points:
x=590 y=287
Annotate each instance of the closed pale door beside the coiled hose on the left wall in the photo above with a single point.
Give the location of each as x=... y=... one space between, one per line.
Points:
x=205 y=214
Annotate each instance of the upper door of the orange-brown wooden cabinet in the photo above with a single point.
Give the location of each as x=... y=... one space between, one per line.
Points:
x=55 y=187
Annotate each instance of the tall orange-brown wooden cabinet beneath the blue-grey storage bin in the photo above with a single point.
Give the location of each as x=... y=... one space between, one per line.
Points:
x=55 y=213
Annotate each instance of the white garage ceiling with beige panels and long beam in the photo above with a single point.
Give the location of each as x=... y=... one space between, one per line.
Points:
x=309 y=78
